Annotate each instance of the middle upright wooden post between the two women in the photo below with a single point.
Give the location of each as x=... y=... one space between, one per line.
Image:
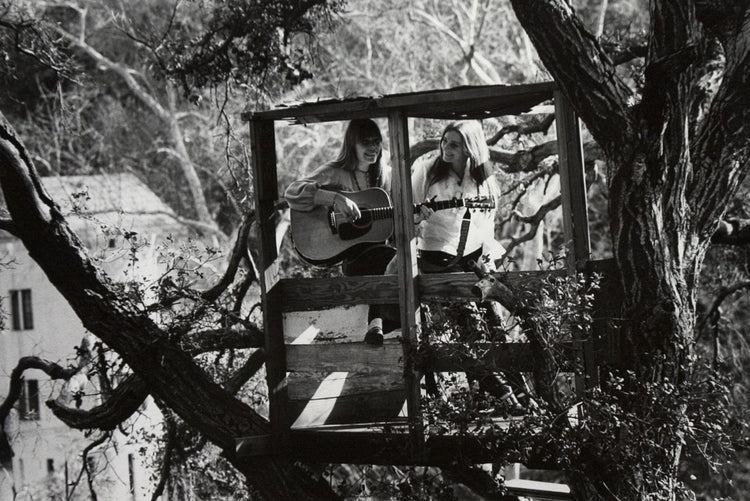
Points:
x=406 y=243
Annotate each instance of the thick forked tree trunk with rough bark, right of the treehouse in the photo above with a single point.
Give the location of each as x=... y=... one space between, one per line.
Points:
x=675 y=160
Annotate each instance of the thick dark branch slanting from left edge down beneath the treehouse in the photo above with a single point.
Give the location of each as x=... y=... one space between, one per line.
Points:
x=170 y=373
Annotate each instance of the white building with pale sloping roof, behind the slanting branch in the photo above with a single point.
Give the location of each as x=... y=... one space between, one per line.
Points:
x=47 y=454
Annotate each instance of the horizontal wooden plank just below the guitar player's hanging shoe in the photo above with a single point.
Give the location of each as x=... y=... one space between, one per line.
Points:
x=345 y=357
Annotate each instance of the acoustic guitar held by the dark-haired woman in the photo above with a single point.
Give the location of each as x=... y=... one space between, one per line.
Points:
x=324 y=237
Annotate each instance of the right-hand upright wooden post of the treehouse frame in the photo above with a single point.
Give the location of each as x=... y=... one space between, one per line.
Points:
x=575 y=213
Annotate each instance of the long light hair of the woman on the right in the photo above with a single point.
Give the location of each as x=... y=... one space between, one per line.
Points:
x=475 y=146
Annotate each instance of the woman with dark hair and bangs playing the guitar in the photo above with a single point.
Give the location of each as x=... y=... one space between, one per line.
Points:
x=358 y=166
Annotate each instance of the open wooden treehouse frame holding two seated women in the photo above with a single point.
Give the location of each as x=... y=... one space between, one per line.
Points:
x=354 y=403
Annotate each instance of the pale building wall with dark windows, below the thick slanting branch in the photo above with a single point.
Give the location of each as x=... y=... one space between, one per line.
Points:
x=48 y=453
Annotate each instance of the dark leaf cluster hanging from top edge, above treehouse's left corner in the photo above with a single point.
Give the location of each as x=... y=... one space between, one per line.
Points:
x=248 y=42
